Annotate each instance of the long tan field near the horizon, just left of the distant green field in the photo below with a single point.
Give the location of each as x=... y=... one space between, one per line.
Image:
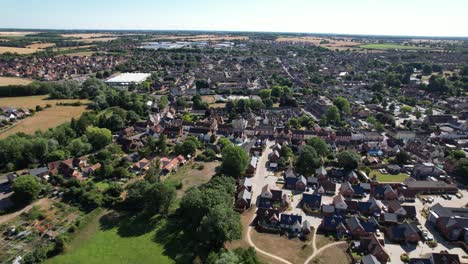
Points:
x=332 y=43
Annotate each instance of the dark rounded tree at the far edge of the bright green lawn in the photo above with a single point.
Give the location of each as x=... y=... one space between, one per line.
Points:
x=159 y=197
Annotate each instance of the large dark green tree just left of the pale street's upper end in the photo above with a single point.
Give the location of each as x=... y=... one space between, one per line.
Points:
x=234 y=160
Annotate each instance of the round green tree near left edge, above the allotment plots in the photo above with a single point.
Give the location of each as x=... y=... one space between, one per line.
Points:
x=25 y=189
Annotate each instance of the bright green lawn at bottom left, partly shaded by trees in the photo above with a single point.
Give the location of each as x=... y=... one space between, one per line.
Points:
x=113 y=240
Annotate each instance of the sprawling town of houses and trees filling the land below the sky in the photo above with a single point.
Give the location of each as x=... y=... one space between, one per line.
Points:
x=261 y=147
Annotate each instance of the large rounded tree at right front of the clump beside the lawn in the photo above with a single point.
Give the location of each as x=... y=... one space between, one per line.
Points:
x=220 y=225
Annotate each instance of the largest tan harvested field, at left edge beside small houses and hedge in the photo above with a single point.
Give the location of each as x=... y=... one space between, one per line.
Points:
x=43 y=120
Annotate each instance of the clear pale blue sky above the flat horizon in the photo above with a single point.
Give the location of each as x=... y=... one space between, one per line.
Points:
x=373 y=17
